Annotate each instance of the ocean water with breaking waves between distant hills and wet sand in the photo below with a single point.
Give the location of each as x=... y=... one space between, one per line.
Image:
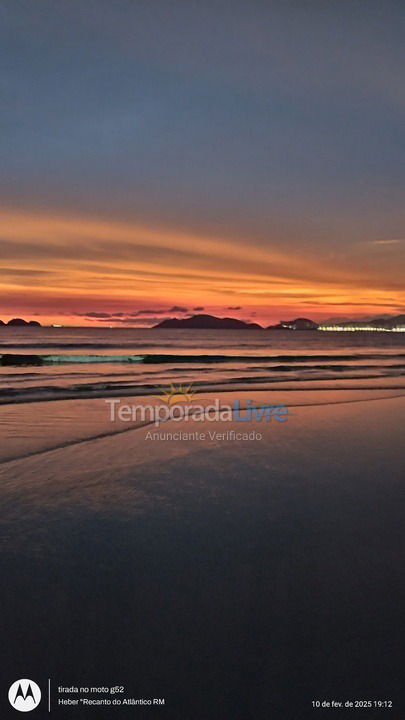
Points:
x=61 y=363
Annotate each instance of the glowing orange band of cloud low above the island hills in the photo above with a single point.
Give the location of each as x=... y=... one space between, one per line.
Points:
x=71 y=268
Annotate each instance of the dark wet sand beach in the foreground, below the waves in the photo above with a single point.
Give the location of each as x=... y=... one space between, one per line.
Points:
x=233 y=579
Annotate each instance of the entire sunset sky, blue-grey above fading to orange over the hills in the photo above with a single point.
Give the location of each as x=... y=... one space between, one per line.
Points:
x=165 y=158
